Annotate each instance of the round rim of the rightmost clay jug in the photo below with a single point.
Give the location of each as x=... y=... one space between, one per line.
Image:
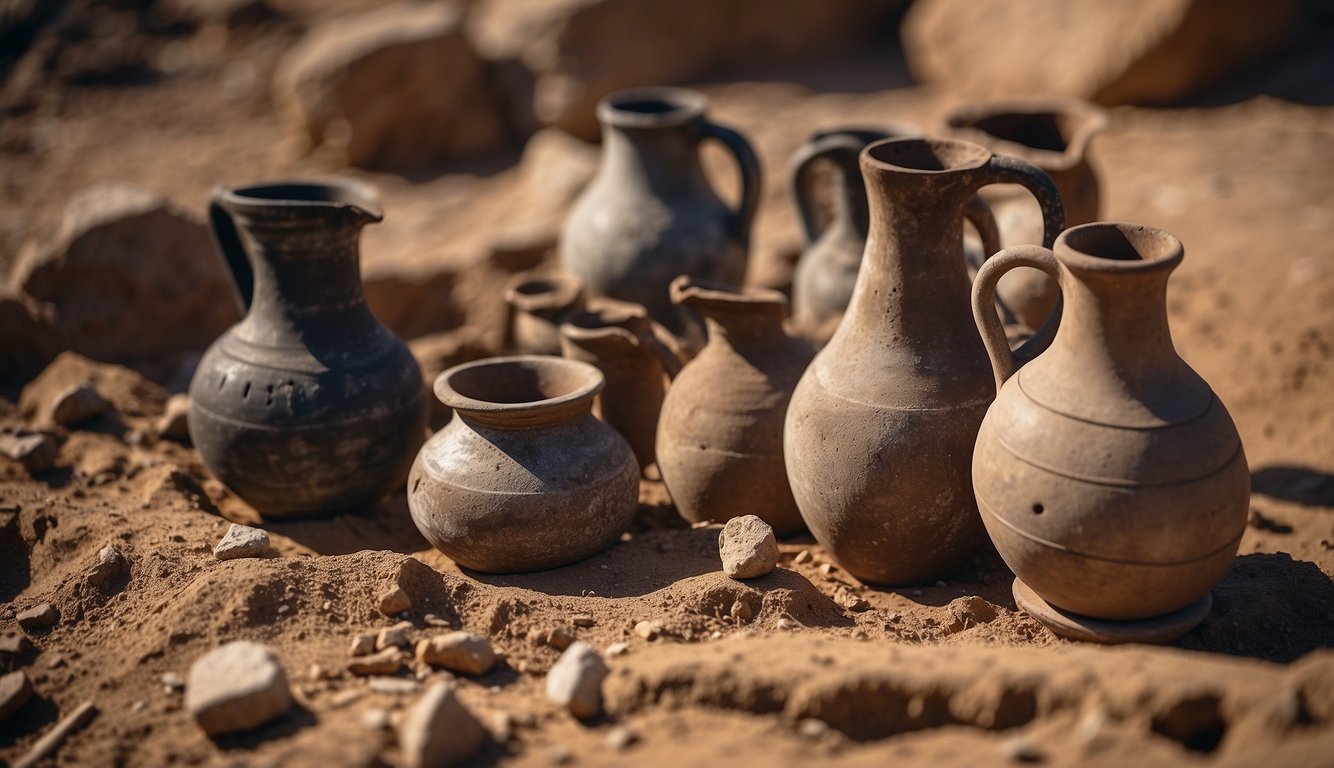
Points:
x=1119 y=247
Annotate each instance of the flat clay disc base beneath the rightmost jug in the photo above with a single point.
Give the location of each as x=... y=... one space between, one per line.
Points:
x=1159 y=630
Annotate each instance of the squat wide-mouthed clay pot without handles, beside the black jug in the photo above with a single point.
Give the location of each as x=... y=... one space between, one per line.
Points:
x=524 y=478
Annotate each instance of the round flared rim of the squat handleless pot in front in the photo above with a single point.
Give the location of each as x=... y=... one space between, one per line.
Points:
x=572 y=382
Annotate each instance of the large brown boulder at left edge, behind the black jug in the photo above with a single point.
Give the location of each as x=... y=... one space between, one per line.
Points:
x=130 y=277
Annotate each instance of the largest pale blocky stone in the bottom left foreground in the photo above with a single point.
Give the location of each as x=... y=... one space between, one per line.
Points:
x=237 y=687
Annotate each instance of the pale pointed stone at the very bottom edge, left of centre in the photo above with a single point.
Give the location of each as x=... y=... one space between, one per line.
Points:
x=440 y=730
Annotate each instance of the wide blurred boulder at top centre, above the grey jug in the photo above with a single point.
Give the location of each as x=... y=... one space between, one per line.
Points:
x=577 y=51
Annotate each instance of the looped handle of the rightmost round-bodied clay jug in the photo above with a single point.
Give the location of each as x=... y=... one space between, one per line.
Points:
x=1004 y=362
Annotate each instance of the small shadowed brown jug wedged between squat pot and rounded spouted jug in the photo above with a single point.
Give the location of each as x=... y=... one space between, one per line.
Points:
x=620 y=339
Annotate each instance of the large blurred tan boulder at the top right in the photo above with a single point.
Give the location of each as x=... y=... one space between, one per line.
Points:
x=1129 y=53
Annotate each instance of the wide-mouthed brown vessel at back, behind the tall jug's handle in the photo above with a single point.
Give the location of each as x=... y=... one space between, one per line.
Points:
x=1055 y=135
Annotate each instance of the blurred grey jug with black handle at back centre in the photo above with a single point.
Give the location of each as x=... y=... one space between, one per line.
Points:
x=650 y=214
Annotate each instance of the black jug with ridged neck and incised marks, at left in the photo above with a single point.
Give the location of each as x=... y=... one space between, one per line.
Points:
x=309 y=405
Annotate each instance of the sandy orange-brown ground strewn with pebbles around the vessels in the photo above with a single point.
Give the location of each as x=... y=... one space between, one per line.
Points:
x=948 y=675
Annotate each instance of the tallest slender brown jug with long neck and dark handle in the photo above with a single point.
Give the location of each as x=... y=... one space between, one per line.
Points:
x=882 y=425
